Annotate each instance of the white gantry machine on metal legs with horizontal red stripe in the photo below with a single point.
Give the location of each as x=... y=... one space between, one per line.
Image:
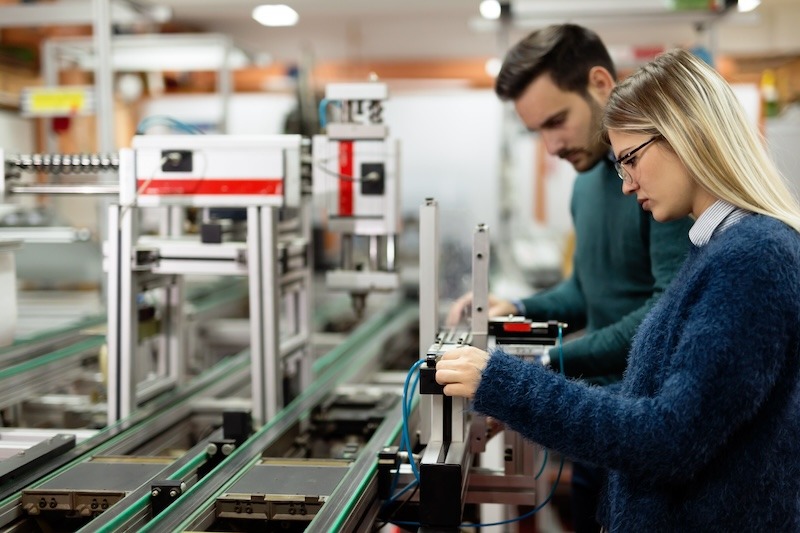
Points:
x=168 y=173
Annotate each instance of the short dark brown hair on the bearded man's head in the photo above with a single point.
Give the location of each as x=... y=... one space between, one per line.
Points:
x=567 y=51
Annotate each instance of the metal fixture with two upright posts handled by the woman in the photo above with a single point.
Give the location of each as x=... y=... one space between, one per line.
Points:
x=449 y=437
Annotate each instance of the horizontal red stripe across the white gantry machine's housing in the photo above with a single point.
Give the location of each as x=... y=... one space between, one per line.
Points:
x=222 y=187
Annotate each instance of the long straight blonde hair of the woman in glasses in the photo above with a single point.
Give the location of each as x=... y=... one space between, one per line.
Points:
x=693 y=108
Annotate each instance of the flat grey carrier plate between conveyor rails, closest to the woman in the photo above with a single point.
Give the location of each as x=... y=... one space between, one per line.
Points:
x=279 y=489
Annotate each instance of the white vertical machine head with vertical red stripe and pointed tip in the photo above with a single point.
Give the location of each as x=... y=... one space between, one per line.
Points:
x=356 y=176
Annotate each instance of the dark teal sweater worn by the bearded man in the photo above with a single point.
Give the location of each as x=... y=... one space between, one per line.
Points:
x=623 y=262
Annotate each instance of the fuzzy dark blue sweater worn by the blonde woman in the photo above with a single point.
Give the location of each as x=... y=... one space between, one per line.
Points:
x=704 y=432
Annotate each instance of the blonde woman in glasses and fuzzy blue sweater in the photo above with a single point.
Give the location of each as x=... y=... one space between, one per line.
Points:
x=704 y=432
